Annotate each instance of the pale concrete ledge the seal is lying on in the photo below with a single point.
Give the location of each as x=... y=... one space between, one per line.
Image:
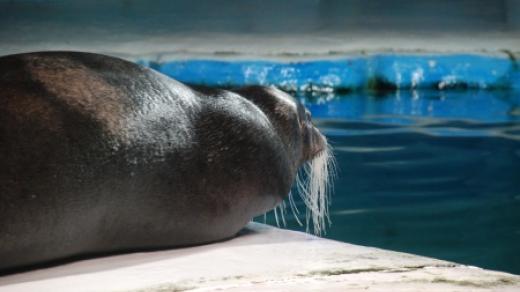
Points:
x=264 y=258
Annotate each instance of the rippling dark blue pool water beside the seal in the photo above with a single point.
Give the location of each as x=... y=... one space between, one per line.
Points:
x=426 y=172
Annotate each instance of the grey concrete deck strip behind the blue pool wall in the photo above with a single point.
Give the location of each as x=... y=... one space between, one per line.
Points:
x=244 y=46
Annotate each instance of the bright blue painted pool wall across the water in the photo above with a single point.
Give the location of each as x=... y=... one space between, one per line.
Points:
x=400 y=71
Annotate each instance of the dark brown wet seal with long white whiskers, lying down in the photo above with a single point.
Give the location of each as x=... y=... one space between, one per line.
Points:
x=100 y=155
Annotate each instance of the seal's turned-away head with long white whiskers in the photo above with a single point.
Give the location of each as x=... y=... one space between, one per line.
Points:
x=312 y=162
